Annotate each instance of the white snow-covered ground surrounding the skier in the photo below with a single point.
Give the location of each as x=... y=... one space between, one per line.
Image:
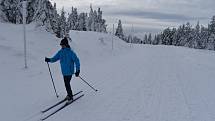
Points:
x=135 y=83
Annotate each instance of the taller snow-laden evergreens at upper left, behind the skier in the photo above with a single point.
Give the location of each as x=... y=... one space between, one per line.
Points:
x=43 y=13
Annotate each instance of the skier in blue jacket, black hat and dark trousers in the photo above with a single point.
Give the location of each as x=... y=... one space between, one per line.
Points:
x=68 y=59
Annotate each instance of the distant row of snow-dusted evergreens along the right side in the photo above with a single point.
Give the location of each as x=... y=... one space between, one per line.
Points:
x=198 y=37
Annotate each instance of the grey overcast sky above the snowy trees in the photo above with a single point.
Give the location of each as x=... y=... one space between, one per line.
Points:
x=146 y=15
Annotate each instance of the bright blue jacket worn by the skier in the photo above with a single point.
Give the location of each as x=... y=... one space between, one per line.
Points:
x=67 y=61
